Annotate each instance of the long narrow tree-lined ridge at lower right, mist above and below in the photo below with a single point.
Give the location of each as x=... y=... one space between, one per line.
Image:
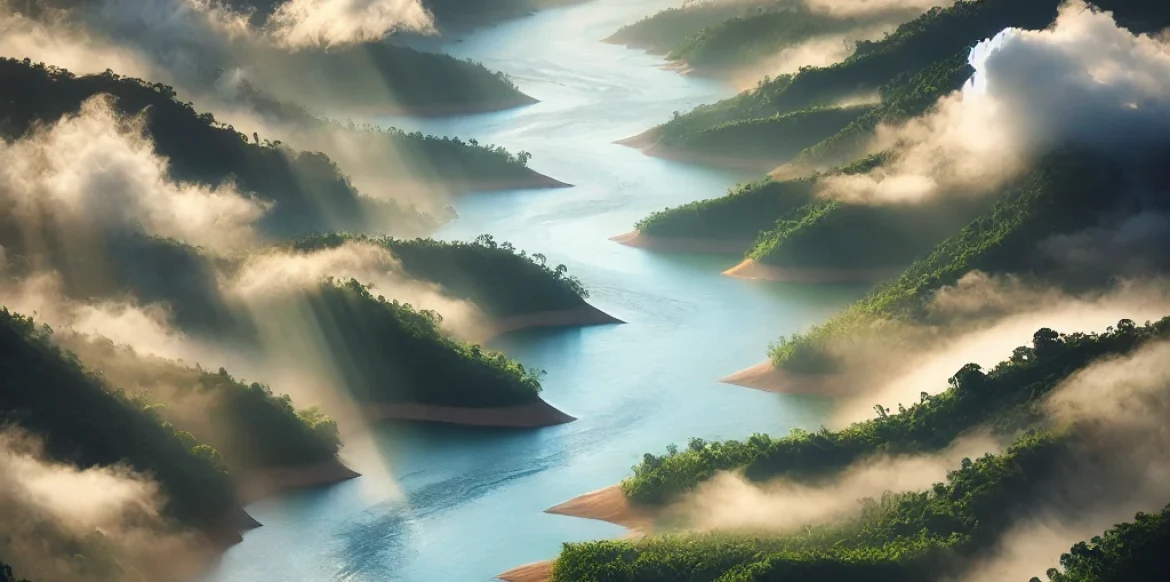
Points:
x=1003 y=398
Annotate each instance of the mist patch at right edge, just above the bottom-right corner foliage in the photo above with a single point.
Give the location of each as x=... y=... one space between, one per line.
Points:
x=1119 y=408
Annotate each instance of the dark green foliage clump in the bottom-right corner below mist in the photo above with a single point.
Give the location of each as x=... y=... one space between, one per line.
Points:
x=1134 y=551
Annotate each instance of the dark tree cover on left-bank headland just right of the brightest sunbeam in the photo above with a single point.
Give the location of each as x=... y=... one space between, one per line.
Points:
x=395 y=354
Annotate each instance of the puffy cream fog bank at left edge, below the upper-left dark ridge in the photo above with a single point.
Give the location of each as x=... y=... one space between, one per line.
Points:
x=97 y=173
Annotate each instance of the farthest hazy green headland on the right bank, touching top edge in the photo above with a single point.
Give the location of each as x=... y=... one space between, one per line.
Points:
x=665 y=31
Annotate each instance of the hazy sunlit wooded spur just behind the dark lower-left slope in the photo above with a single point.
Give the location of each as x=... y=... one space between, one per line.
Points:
x=251 y=427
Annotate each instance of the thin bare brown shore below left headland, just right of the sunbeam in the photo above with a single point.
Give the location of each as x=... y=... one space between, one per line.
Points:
x=528 y=416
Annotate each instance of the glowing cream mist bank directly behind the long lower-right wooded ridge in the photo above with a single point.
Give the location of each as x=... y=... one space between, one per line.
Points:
x=980 y=320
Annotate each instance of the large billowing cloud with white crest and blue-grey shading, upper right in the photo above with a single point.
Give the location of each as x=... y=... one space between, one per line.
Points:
x=1085 y=81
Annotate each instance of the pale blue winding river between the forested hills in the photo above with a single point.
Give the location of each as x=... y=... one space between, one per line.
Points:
x=457 y=504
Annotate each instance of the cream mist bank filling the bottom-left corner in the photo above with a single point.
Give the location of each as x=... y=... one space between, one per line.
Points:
x=63 y=524
